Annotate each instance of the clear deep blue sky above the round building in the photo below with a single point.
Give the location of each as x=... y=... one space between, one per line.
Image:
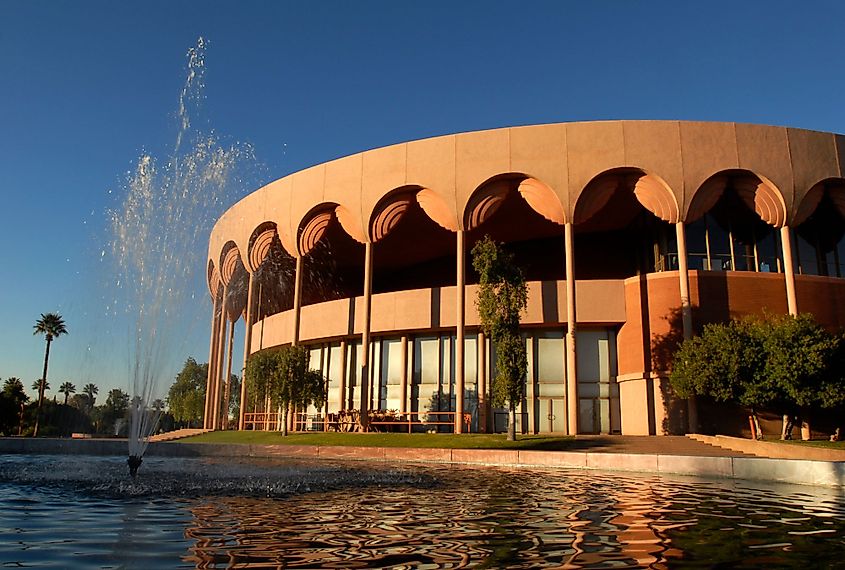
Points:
x=87 y=86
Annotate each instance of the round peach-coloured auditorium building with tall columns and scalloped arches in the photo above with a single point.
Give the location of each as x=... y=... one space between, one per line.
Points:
x=631 y=235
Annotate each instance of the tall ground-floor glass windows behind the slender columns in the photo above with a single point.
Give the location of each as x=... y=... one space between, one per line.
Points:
x=431 y=379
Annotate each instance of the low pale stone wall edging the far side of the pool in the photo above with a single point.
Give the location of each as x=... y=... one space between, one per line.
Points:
x=795 y=471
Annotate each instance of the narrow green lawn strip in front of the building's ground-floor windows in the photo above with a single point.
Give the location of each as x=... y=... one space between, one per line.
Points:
x=442 y=440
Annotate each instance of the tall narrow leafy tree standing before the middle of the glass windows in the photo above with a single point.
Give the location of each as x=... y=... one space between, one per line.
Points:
x=502 y=297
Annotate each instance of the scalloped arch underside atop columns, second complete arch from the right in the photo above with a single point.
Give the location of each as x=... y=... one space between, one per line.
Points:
x=650 y=191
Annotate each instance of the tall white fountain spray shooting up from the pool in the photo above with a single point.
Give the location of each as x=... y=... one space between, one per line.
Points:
x=158 y=243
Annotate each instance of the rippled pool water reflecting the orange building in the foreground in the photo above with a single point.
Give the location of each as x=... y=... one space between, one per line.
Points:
x=78 y=511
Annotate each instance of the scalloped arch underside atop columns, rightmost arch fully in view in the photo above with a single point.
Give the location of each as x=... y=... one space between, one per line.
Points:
x=758 y=193
